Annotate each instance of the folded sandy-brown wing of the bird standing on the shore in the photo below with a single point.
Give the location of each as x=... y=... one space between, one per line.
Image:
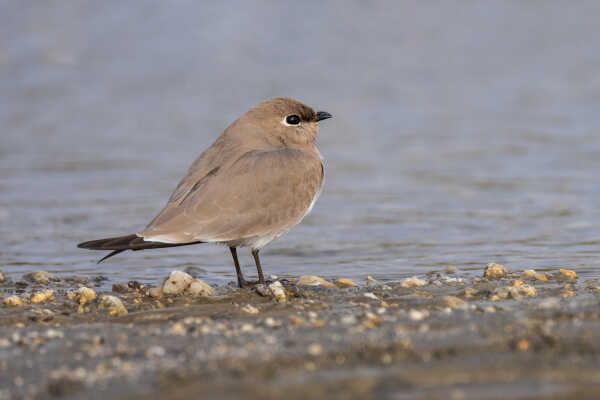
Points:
x=261 y=192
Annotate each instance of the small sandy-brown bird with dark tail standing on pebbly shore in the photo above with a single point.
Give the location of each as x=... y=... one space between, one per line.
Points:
x=259 y=179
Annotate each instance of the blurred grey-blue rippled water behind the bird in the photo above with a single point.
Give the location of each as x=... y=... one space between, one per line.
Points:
x=464 y=132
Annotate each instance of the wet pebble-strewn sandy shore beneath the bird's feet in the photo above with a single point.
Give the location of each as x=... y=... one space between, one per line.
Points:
x=441 y=335
